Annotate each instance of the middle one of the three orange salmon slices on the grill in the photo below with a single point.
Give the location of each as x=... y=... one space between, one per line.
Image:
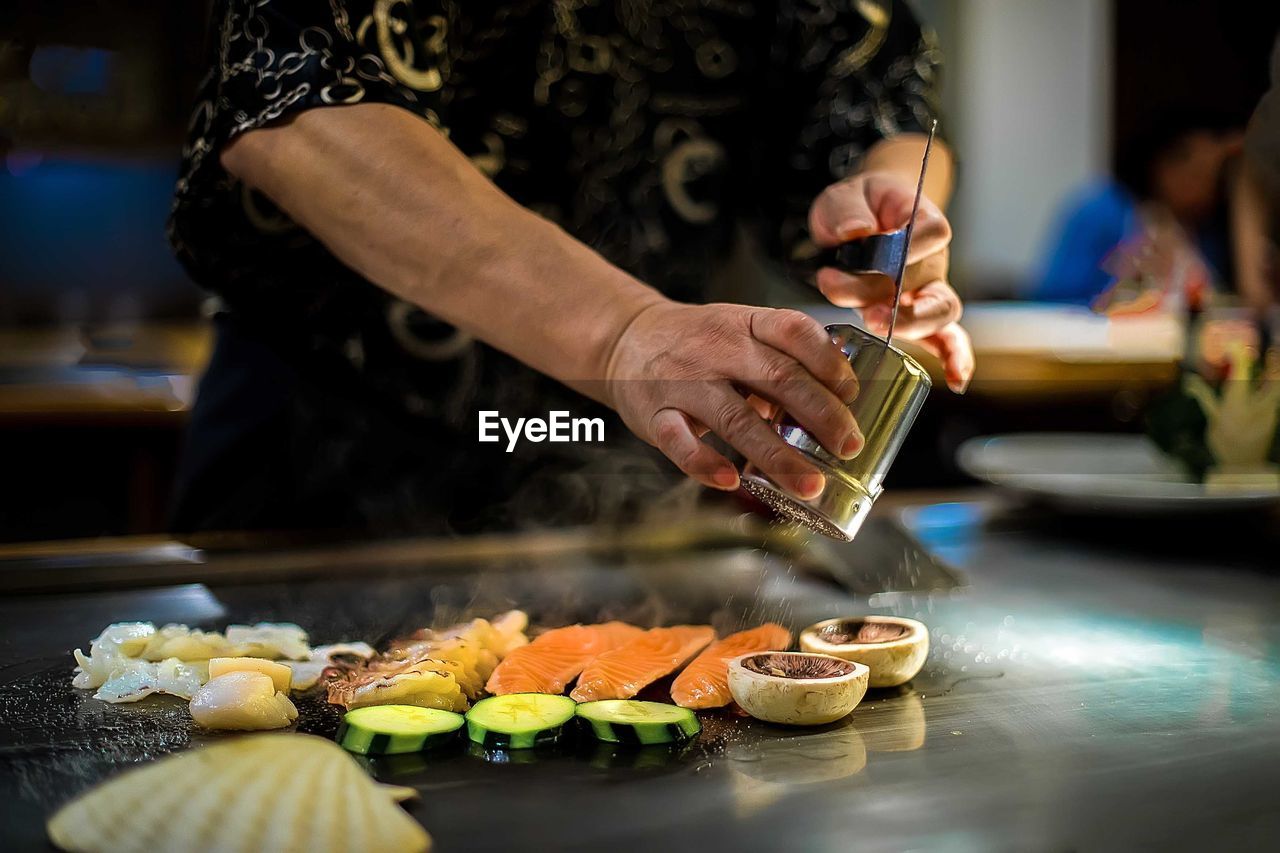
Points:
x=627 y=670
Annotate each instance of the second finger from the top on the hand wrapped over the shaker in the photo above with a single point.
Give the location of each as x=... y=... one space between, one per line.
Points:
x=781 y=380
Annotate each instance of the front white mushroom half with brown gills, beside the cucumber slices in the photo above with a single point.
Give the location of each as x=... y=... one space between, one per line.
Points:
x=796 y=688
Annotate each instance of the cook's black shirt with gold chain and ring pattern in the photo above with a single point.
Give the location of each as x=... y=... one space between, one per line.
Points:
x=651 y=130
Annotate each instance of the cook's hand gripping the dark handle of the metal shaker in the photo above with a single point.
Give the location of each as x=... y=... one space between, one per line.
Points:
x=876 y=203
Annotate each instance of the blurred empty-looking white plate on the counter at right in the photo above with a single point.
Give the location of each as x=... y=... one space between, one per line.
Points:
x=1098 y=472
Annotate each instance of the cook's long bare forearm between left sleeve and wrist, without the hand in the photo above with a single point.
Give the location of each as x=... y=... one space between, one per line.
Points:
x=397 y=203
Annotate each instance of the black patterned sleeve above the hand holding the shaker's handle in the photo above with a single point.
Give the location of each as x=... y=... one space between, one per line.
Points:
x=849 y=76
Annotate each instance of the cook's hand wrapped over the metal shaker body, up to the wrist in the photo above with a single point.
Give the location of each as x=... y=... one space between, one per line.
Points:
x=680 y=371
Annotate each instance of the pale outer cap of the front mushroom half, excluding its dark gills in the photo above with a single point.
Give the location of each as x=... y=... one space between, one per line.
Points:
x=798 y=703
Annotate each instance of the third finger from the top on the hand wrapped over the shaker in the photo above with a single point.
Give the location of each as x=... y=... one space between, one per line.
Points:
x=730 y=418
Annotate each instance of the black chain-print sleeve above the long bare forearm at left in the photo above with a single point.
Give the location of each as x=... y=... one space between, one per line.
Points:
x=275 y=58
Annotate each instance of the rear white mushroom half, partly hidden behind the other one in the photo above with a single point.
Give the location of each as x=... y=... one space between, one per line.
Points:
x=894 y=649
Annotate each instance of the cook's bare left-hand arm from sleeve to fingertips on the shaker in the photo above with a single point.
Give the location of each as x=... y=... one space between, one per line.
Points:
x=390 y=197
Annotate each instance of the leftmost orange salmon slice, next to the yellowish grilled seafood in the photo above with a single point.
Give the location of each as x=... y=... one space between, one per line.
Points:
x=555 y=659
